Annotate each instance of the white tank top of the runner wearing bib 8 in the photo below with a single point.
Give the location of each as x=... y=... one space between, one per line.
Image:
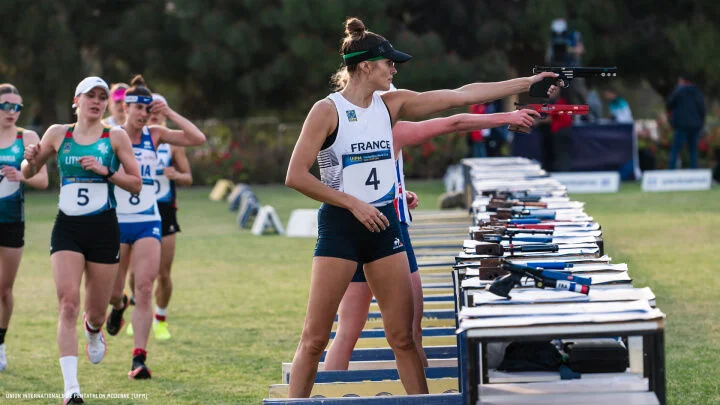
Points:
x=142 y=207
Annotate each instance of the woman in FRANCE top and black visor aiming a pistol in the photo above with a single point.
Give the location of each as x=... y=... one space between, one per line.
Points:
x=350 y=134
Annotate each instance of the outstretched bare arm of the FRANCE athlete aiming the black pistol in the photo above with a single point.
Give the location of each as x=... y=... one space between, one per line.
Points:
x=410 y=104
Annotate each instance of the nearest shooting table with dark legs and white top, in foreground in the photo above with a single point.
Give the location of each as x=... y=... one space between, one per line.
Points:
x=482 y=331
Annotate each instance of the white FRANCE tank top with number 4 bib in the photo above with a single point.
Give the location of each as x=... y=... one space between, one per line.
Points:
x=361 y=161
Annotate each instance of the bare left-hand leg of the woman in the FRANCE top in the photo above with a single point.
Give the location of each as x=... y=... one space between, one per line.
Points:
x=329 y=280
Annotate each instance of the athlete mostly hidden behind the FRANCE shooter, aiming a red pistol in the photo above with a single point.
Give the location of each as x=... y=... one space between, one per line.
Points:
x=354 y=307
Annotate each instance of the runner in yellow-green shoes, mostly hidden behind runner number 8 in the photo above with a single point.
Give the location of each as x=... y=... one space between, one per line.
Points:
x=173 y=167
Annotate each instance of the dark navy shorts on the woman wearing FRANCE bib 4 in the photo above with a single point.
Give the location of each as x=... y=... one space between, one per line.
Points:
x=341 y=235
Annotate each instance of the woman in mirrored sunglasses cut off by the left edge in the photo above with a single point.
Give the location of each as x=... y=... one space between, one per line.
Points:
x=12 y=218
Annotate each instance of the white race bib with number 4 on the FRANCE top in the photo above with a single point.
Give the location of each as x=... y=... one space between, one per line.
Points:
x=369 y=176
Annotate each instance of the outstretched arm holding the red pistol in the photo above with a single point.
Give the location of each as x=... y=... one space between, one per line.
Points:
x=406 y=133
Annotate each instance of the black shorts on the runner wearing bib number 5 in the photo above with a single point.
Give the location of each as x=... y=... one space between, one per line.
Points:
x=97 y=237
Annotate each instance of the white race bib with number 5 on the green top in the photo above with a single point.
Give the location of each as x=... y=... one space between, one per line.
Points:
x=83 y=196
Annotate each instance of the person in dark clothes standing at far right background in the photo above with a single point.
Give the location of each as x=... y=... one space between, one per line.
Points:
x=687 y=117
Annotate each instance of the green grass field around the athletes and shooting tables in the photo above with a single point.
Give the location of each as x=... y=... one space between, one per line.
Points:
x=239 y=300
